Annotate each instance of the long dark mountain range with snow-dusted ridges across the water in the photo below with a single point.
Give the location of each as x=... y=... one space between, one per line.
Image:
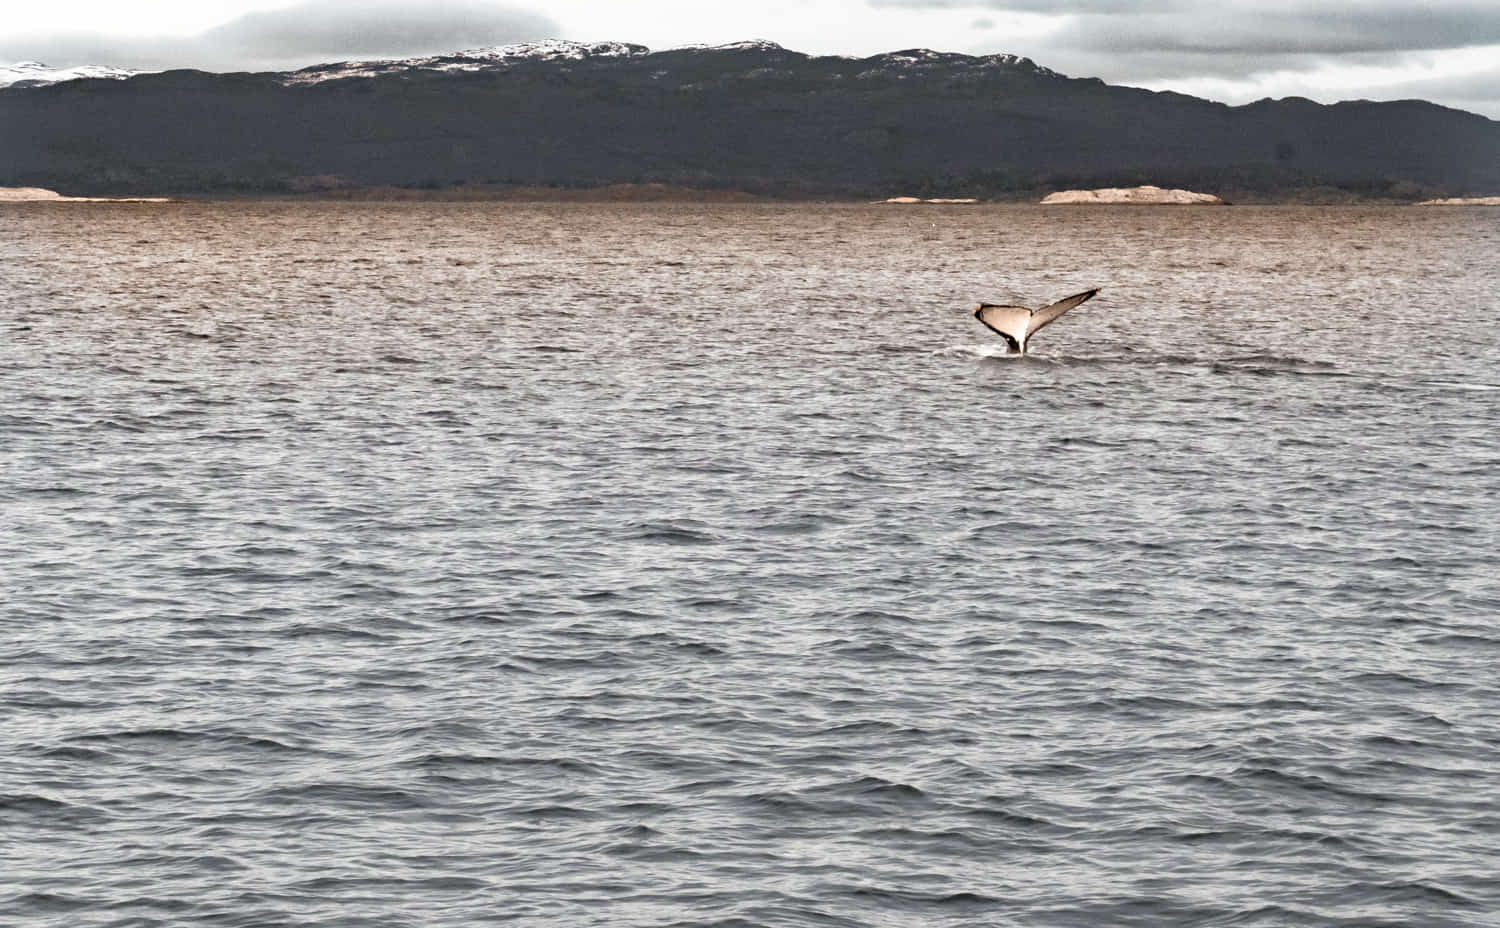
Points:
x=751 y=116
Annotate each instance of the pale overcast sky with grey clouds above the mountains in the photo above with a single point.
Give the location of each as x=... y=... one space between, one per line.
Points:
x=1228 y=50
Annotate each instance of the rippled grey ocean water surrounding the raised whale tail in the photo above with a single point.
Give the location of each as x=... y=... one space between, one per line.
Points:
x=449 y=566
